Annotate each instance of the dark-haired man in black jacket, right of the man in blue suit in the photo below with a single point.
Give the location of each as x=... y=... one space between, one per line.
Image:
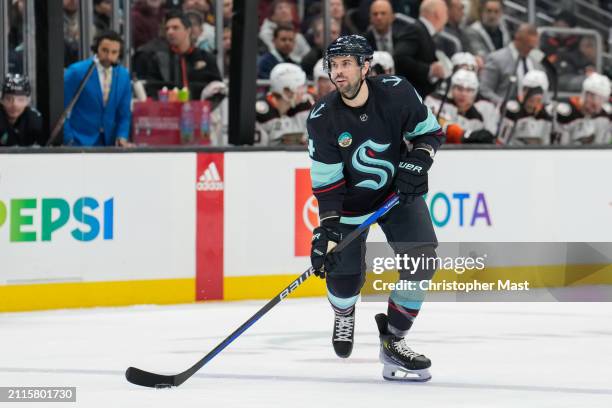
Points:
x=174 y=62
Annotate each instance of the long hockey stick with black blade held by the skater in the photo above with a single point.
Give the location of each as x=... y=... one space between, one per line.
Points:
x=147 y=379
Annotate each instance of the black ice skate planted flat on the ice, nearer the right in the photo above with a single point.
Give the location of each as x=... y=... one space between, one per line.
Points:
x=400 y=363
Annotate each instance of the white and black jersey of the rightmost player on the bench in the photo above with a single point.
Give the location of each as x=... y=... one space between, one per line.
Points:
x=579 y=129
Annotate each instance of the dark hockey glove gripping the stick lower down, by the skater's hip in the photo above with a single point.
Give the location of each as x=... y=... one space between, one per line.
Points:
x=324 y=238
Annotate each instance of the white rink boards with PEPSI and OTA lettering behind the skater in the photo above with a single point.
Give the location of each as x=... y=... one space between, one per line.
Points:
x=102 y=229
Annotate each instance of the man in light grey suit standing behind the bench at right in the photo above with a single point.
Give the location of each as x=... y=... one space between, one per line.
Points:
x=510 y=61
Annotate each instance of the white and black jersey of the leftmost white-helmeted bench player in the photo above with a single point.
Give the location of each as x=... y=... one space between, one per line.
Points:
x=274 y=129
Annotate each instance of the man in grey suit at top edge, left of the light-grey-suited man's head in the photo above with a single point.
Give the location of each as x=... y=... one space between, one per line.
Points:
x=490 y=32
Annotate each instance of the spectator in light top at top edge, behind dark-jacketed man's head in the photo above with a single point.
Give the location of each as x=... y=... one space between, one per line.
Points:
x=282 y=13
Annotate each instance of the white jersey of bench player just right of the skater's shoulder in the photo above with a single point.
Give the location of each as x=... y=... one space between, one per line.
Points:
x=481 y=115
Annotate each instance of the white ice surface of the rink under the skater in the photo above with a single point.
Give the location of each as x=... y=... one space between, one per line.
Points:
x=484 y=355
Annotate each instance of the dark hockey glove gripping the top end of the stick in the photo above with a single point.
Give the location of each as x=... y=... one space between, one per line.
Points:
x=411 y=180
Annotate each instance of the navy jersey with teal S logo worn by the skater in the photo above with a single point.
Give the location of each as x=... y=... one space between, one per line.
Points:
x=355 y=152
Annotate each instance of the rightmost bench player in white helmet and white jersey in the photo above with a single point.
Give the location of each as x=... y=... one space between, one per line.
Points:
x=587 y=120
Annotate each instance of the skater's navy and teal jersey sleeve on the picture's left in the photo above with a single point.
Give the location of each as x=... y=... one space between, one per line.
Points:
x=327 y=168
